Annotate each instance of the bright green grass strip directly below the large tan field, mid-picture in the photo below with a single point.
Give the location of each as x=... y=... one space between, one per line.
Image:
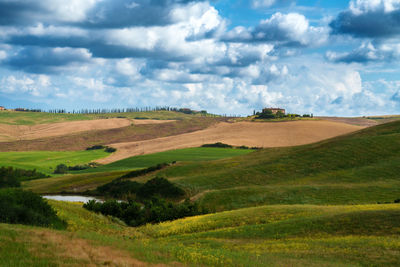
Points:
x=179 y=155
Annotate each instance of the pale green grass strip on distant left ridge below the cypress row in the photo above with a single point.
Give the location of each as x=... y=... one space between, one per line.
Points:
x=32 y=118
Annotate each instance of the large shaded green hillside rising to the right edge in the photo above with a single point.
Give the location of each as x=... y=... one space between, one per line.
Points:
x=363 y=167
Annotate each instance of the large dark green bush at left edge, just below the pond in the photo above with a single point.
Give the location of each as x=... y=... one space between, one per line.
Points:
x=25 y=207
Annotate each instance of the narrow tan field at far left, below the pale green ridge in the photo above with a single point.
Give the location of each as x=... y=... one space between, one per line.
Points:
x=24 y=132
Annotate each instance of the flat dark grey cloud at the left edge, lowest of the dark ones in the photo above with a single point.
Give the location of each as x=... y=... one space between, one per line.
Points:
x=44 y=60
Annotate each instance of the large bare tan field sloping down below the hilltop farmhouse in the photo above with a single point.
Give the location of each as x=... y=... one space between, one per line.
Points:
x=251 y=134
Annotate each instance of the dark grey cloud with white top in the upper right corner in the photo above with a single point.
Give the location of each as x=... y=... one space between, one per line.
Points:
x=366 y=18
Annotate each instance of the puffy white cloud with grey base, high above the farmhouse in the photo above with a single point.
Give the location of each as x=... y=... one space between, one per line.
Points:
x=291 y=29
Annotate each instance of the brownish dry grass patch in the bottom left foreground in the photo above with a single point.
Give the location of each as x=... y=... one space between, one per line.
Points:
x=82 y=252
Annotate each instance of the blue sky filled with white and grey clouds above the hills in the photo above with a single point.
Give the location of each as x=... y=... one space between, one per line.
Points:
x=335 y=58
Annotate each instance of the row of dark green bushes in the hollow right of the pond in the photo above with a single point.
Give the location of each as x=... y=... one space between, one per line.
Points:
x=154 y=210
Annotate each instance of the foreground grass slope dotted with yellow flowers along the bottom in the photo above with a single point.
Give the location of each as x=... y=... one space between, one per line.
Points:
x=278 y=235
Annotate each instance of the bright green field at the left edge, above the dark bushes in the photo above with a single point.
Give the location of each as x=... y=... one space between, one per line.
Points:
x=46 y=161
